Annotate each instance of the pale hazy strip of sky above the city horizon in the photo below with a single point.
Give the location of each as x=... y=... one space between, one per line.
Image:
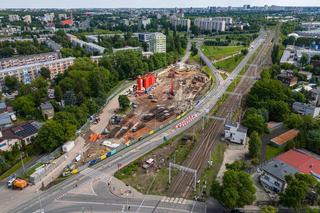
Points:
x=147 y=3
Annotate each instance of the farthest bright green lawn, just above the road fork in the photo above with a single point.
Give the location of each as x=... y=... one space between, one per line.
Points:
x=219 y=52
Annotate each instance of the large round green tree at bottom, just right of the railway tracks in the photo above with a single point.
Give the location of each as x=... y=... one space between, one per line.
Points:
x=237 y=189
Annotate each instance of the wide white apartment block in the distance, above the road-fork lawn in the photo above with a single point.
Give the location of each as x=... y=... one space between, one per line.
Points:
x=210 y=24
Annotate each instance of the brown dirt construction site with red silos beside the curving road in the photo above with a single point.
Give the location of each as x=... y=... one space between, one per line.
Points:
x=156 y=99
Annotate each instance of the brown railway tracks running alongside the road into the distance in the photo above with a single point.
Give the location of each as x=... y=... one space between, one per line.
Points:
x=182 y=184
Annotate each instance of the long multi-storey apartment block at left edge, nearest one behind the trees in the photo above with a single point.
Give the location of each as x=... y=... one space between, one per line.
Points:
x=29 y=72
